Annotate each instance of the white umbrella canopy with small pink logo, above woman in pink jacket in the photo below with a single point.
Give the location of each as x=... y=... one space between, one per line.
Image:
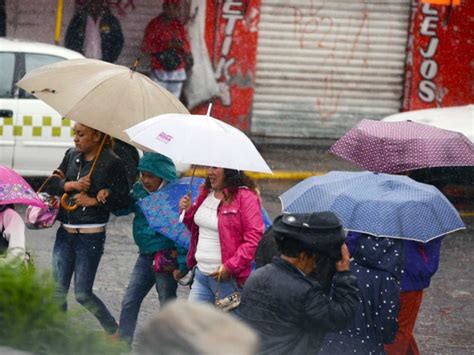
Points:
x=199 y=140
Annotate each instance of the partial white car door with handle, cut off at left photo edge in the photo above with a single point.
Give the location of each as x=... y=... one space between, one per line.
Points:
x=8 y=107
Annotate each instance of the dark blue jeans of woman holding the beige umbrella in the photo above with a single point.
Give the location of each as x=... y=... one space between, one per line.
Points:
x=80 y=254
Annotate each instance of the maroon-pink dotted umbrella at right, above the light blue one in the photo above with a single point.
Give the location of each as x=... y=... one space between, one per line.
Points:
x=392 y=147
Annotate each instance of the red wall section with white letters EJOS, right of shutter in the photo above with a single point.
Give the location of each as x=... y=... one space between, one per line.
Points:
x=440 y=59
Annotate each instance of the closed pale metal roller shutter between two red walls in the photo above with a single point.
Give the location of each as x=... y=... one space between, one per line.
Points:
x=324 y=65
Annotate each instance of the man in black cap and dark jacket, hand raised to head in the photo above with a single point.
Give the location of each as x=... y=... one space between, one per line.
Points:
x=289 y=310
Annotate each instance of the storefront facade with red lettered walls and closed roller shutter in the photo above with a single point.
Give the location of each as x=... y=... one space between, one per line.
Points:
x=302 y=68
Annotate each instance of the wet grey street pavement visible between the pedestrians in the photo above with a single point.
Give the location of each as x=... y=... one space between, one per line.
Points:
x=446 y=321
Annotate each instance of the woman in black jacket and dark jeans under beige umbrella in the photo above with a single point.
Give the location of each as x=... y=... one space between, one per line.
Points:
x=80 y=238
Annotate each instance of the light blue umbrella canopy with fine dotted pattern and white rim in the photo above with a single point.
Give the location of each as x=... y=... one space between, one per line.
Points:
x=382 y=205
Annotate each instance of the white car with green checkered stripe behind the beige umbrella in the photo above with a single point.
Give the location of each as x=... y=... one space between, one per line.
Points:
x=33 y=136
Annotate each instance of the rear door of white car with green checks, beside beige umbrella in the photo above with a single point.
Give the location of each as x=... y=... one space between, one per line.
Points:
x=43 y=136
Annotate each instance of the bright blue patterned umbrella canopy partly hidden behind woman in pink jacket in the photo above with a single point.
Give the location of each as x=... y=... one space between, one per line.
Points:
x=161 y=209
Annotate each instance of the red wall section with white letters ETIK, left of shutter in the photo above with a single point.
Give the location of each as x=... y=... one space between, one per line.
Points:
x=231 y=38
